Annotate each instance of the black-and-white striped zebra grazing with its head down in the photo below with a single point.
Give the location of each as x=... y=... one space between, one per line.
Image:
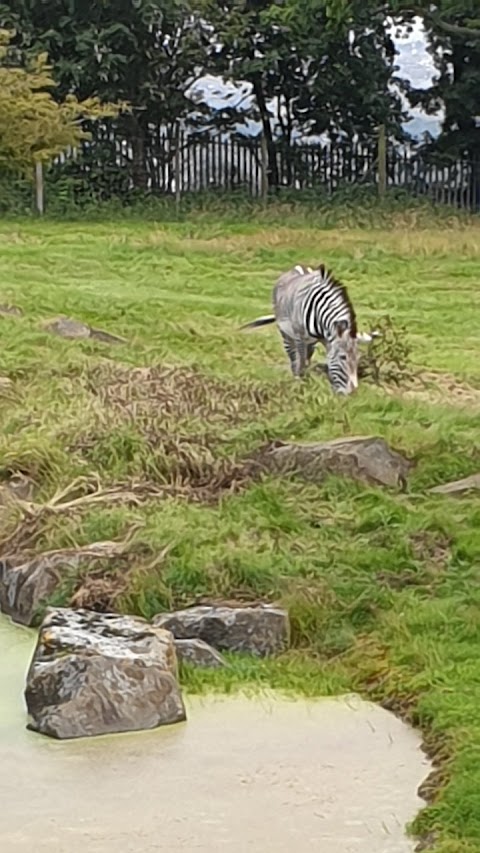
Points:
x=310 y=307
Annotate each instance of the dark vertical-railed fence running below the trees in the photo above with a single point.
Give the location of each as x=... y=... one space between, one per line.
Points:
x=178 y=164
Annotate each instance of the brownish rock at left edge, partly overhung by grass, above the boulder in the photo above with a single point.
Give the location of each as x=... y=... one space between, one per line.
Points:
x=27 y=584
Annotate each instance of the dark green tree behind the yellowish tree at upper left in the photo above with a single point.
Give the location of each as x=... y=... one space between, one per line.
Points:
x=144 y=52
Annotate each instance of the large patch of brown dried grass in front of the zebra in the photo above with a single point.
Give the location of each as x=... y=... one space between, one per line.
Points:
x=181 y=417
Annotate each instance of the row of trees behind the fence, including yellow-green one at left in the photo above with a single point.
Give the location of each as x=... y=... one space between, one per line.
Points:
x=70 y=69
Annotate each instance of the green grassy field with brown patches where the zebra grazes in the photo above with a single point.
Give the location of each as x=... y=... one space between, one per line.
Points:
x=383 y=588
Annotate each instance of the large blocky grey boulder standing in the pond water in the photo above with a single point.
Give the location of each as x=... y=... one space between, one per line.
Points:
x=98 y=673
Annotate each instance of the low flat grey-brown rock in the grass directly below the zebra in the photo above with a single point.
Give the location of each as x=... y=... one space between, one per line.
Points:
x=368 y=459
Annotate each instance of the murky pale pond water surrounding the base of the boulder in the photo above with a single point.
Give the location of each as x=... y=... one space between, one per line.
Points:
x=263 y=775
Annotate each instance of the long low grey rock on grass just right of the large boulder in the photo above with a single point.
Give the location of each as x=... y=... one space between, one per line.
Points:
x=260 y=630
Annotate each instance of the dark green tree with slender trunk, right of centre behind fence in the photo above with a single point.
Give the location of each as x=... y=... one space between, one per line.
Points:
x=319 y=74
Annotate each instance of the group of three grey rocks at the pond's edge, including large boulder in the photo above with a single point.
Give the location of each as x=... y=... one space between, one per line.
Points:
x=97 y=673
